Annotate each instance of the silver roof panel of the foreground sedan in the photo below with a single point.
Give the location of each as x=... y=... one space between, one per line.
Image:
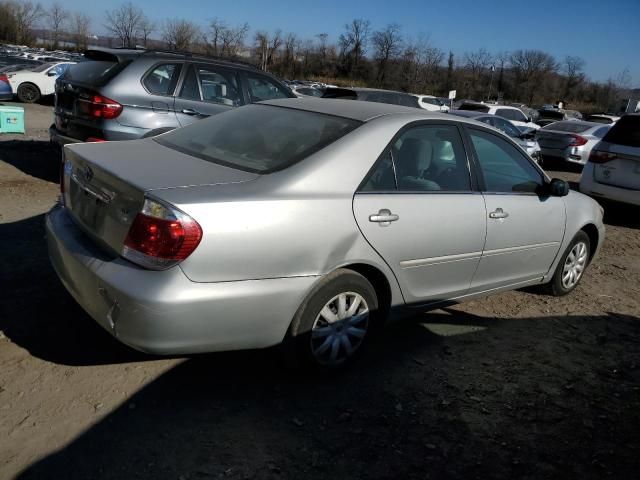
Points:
x=353 y=109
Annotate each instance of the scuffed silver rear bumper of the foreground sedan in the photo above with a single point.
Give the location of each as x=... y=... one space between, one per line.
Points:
x=163 y=312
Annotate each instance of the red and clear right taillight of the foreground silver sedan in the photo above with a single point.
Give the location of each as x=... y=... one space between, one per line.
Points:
x=161 y=236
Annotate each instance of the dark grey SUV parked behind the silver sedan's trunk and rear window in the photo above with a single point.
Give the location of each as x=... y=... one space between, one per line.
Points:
x=125 y=94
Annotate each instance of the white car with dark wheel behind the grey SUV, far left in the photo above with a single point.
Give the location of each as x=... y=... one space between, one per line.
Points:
x=30 y=85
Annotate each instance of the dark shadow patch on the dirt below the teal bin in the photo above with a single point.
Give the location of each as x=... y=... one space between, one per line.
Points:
x=37 y=158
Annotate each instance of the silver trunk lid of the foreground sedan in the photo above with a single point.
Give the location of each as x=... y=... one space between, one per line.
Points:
x=103 y=204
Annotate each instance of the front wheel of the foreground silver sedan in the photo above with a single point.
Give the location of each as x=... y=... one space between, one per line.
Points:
x=571 y=267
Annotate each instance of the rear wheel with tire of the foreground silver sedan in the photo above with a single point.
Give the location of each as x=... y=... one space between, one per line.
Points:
x=320 y=336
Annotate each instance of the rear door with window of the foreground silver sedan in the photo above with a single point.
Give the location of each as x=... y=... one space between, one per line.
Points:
x=418 y=211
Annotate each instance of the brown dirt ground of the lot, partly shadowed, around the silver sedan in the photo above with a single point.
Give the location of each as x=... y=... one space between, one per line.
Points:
x=520 y=385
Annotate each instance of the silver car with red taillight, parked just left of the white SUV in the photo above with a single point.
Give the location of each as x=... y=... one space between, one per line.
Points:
x=570 y=140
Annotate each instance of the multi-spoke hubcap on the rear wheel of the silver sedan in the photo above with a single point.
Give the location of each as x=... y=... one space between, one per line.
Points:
x=339 y=328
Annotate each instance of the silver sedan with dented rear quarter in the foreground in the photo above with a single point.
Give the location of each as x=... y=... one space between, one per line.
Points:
x=304 y=222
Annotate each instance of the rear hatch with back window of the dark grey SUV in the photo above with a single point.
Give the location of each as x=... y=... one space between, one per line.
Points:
x=78 y=88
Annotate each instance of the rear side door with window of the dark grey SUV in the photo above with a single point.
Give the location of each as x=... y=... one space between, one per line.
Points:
x=207 y=90
